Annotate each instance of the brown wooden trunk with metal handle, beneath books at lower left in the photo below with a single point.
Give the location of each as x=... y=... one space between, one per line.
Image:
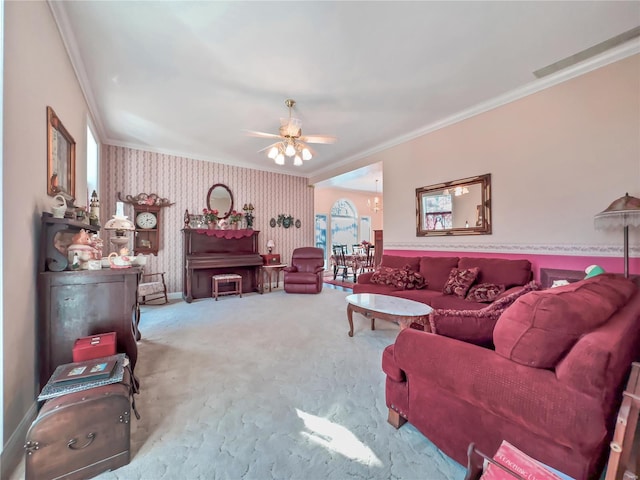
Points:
x=80 y=435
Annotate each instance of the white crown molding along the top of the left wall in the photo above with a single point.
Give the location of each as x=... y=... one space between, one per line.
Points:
x=73 y=52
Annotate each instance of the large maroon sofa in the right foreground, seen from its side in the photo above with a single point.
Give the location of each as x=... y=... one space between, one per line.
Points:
x=552 y=386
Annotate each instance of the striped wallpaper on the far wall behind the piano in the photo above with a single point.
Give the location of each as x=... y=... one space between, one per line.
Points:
x=185 y=182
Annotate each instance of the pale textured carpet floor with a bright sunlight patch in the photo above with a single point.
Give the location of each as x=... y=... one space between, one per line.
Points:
x=269 y=387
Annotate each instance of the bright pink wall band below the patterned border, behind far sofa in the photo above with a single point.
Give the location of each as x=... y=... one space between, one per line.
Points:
x=562 y=262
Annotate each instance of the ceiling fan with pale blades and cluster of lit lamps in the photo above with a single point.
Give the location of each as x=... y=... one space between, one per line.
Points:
x=291 y=142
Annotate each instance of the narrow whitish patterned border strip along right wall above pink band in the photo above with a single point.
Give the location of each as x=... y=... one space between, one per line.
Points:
x=533 y=249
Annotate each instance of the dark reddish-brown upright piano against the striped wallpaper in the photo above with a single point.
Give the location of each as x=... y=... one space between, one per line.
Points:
x=212 y=252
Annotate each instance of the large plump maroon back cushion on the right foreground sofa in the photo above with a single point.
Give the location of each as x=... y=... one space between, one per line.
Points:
x=539 y=328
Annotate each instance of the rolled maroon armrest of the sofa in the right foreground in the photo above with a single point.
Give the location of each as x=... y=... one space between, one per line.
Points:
x=532 y=396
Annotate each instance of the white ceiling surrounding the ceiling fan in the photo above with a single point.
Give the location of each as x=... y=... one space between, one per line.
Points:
x=187 y=78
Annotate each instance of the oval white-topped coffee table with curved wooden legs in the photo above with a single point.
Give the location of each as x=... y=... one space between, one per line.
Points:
x=386 y=307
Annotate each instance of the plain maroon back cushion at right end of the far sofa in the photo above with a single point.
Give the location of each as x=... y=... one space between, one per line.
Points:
x=499 y=270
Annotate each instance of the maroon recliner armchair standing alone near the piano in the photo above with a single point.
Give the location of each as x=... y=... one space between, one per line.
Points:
x=304 y=275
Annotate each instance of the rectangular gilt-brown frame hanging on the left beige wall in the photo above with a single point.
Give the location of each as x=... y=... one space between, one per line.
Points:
x=61 y=158
